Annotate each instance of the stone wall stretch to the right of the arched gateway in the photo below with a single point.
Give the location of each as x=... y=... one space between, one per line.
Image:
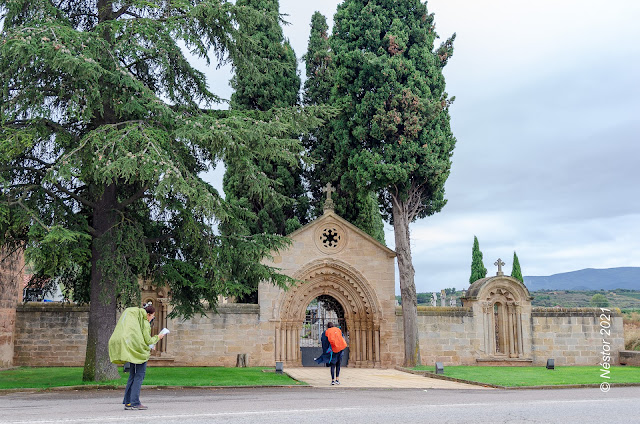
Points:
x=573 y=336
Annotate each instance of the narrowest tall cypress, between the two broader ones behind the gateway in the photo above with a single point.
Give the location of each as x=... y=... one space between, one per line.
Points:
x=360 y=207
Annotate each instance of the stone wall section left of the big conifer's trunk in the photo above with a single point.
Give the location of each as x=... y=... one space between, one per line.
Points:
x=50 y=334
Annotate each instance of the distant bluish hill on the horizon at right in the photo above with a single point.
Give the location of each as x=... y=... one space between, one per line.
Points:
x=588 y=279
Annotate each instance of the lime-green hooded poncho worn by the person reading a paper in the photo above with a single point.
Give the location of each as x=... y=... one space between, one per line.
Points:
x=131 y=339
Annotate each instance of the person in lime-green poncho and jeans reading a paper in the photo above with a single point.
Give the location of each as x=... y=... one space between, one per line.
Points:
x=130 y=342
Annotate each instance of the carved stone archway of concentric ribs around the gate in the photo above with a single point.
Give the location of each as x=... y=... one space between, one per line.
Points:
x=361 y=308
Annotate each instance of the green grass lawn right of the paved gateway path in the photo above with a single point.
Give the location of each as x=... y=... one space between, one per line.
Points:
x=540 y=376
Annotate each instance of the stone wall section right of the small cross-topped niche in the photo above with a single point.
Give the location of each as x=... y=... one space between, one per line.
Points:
x=575 y=336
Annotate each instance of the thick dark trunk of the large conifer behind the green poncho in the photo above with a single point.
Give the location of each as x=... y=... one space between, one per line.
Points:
x=103 y=306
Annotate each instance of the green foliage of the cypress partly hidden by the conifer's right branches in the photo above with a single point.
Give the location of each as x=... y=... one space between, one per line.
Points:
x=263 y=85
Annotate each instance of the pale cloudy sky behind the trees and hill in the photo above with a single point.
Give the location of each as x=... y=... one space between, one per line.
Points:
x=547 y=121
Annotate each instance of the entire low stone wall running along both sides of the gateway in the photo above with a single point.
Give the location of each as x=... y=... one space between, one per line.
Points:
x=49 y=334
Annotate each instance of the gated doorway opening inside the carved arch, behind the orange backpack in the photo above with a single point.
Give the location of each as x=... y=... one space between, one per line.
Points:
x=321 y=311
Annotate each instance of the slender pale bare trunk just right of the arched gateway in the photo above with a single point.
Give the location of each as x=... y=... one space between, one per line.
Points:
x=407 y=284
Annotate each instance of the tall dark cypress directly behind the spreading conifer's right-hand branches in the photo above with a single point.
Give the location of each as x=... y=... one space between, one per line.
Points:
x=272 y=82
